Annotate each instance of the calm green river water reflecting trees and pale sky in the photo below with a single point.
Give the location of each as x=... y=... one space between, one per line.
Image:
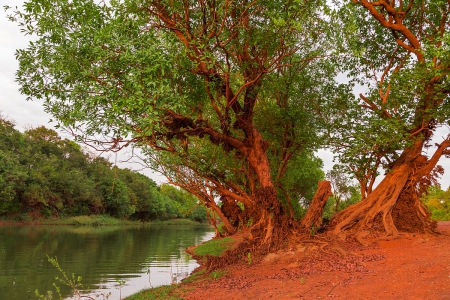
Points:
x=141 y=256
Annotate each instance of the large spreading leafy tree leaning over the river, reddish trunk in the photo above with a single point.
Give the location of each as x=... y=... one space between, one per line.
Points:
x=222 y=93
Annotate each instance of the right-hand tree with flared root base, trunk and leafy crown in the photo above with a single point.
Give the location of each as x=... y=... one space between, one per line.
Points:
x=400 y=52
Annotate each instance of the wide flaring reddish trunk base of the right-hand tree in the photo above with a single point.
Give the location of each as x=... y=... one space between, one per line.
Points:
x=394 y=202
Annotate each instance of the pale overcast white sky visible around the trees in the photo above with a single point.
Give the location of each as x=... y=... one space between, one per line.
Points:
x=28 y=114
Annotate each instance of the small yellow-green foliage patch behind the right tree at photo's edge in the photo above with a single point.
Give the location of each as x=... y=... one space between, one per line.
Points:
x=438 y=202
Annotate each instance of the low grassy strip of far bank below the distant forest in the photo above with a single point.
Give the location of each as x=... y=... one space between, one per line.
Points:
x=95 y=220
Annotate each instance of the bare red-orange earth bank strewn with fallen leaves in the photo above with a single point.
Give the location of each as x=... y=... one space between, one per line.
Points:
x=410 y=267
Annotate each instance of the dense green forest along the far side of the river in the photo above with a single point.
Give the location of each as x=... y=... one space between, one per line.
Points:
x=43 y=175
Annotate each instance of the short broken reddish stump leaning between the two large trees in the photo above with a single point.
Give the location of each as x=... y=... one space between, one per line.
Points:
x=313 y=218
